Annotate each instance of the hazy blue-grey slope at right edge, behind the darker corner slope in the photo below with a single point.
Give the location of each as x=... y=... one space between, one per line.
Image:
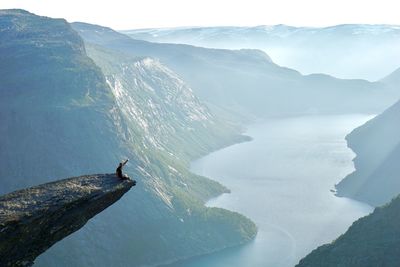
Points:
x=377 y=145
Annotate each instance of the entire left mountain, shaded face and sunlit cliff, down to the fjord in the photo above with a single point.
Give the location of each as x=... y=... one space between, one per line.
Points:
x=62 y=116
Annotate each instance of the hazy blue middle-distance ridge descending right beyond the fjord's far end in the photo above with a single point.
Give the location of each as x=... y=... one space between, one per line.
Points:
x=247 y=81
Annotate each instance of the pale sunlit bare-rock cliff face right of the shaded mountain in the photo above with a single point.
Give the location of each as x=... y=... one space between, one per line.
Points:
x=154 y=99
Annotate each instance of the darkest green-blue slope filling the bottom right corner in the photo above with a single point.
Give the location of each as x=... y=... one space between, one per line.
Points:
x=370 y=241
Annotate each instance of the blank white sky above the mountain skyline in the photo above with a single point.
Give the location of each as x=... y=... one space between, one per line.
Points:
x=120 y=14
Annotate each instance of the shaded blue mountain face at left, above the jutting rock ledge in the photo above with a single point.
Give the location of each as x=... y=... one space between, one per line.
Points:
x=52 y=98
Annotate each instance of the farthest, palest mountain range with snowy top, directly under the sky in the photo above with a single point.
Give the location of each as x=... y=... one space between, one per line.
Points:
x=346 y=51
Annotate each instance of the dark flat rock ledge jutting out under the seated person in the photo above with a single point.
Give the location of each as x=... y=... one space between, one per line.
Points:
x=33 y=219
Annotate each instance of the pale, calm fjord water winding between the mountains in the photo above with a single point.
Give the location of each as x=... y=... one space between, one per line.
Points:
x=282 y=181
